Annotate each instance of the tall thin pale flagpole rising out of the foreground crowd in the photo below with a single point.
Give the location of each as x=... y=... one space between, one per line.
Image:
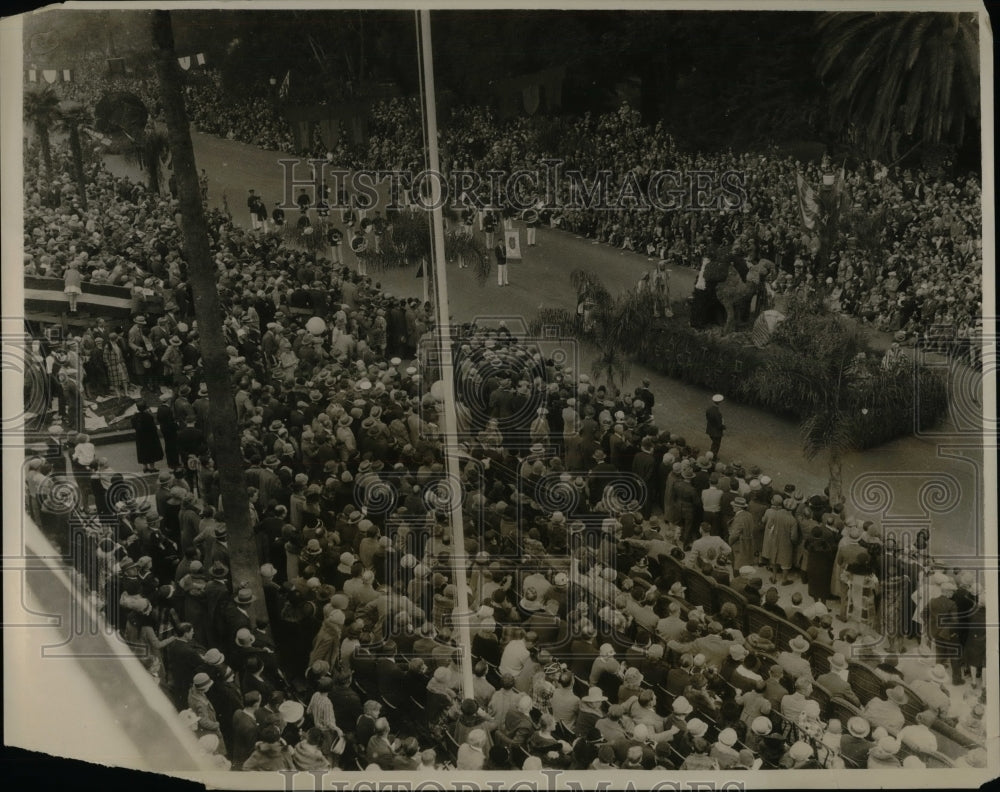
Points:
x=458 y=554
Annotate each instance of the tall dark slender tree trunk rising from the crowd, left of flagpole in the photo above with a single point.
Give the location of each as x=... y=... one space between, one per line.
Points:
x=244 y=563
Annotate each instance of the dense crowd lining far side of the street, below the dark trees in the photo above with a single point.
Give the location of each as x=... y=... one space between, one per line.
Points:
x=909 y=259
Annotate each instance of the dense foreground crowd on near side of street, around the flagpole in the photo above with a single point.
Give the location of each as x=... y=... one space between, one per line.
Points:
x=591 y=536
